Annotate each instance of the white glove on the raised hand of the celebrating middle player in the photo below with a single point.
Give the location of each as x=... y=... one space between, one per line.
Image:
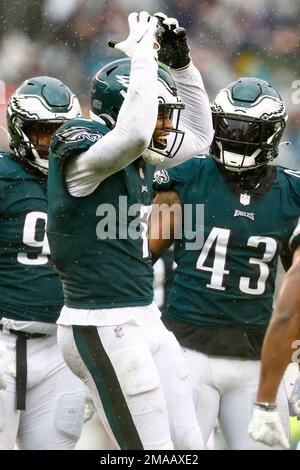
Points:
x=142 y=35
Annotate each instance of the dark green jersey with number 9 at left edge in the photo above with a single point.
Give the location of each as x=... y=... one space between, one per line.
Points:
x=30 y=286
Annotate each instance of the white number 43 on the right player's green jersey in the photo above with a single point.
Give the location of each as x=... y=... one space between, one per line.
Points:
x=218 y=238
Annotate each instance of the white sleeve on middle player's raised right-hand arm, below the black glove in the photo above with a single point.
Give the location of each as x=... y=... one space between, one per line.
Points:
x=195 y=119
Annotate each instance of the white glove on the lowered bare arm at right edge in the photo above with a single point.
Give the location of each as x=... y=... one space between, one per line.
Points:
x=266 y=427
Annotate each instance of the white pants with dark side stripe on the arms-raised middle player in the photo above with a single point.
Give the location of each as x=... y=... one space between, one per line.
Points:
x=137 y=377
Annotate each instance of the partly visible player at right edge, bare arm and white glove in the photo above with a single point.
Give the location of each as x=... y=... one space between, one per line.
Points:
x=280 y=345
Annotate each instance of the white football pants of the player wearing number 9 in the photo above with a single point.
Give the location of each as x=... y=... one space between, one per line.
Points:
x=55 y=399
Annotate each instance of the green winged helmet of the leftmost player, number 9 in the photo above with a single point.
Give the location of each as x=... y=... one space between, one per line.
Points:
x=40 y=104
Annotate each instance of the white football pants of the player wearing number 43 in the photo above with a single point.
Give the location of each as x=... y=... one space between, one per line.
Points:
x=225 y=389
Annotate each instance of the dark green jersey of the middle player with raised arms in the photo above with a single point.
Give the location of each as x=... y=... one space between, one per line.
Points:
x=99 y=242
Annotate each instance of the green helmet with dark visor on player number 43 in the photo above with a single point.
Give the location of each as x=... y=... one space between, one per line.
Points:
x=249 y=118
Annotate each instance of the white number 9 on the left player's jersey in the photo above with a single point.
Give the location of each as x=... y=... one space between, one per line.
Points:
x=30 y=239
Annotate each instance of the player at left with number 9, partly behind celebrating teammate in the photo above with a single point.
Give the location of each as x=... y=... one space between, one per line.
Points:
x=42 y=402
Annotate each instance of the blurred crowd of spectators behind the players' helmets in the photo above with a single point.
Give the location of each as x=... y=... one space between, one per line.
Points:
x=229 y=38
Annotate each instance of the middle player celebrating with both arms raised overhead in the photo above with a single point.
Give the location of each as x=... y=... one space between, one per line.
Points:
x=100 y=196
